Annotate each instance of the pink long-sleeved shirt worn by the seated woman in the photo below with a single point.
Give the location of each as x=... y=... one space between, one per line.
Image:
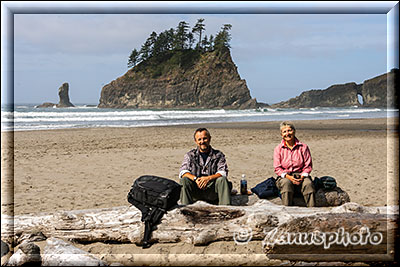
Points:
x=297 y=159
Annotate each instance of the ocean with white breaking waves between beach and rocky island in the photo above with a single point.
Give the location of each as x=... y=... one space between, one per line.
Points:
x=25 y=117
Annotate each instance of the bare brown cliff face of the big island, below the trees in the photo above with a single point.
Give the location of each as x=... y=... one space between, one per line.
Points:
x=209 y=81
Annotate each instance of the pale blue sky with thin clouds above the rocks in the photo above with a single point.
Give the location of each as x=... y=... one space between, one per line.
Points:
x=279 y=55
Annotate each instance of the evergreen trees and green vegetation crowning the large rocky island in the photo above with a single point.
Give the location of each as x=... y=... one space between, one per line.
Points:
x=174 y=48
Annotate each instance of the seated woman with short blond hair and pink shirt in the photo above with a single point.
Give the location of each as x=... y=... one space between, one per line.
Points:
x=293 y=165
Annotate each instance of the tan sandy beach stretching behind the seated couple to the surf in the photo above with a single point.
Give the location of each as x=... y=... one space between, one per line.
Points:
x=47 y=171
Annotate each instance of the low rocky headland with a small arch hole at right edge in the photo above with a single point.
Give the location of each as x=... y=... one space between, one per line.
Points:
x=376 y=92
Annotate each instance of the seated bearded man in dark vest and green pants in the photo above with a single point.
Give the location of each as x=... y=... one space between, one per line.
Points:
x=204 y=172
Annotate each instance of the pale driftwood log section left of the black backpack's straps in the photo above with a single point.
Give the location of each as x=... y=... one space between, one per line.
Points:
x=113 y=224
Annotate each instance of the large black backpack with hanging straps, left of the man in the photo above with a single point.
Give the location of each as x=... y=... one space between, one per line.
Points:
x=153 y=196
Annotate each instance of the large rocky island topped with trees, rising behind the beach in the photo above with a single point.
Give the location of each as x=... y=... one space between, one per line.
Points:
x=171 y=74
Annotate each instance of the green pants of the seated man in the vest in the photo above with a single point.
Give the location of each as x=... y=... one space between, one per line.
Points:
x=217 y=191
